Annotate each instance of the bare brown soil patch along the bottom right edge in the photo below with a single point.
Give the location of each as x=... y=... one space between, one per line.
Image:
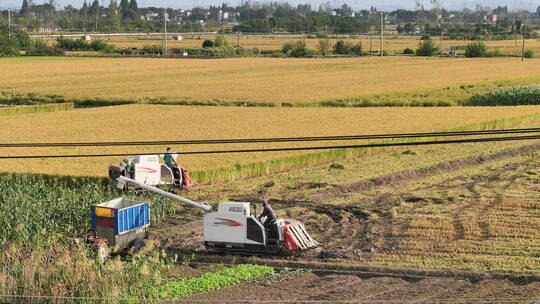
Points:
x=334 y=287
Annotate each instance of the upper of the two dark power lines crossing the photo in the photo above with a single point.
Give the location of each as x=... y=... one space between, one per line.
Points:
x=270 y=140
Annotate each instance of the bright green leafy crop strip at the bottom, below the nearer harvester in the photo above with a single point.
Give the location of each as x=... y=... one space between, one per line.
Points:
x=214 y=280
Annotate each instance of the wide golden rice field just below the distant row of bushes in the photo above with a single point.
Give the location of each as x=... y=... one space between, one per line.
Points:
x=268 y=80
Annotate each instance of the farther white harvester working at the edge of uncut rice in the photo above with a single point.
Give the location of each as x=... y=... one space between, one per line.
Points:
x=148 y=170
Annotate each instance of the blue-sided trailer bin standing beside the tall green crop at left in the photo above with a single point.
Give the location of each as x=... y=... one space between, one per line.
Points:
x=121 y=221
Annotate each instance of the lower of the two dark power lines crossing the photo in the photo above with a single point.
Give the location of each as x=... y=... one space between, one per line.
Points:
x=400 y=144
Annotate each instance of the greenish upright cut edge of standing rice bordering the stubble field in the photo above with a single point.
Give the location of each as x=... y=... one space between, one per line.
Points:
x=278 y=165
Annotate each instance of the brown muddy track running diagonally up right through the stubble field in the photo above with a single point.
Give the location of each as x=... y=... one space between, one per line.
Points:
x=407 y=176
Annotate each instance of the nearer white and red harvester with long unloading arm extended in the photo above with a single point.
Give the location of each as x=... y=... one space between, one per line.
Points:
x=236 y=227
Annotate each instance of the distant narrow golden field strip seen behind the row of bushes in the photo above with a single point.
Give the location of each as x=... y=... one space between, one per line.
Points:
x=392 y=44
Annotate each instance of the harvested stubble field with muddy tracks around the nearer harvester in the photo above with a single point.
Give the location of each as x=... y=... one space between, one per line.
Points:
x=461 y=207
